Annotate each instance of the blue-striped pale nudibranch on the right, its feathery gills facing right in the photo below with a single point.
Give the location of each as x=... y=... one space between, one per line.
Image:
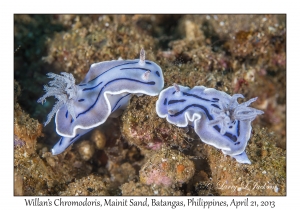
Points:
x=218 y=119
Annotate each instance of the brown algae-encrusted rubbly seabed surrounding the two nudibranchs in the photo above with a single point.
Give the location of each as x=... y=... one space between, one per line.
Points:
x=133 y=154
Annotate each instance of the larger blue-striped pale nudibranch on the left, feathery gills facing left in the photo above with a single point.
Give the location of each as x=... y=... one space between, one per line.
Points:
x=105 y=90
